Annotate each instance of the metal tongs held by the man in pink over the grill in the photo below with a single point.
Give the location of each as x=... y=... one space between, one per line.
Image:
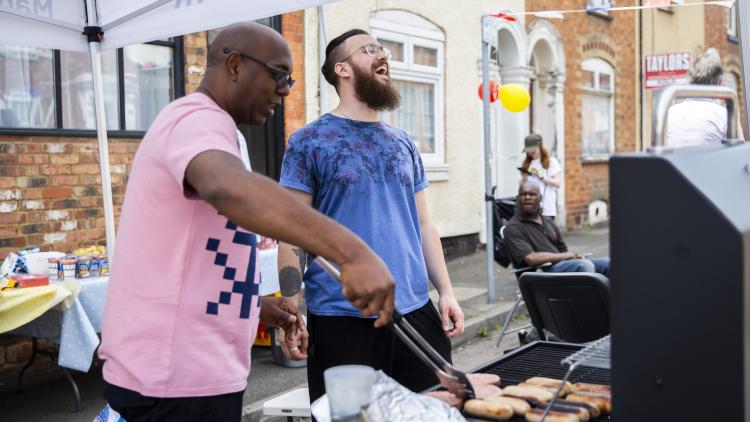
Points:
x=451 y=378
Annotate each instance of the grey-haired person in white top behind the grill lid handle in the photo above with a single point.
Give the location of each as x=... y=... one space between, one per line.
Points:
x=700 y=121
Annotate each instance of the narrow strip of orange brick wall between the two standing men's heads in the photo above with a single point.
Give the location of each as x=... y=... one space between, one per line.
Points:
x=293 y=29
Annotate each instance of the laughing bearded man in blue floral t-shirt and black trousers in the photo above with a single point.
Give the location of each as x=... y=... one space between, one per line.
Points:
x=369 y=177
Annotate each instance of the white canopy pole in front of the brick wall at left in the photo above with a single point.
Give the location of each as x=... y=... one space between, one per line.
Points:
x=94 y=34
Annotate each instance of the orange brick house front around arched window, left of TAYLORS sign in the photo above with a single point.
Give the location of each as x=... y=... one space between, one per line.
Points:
x=613 y=40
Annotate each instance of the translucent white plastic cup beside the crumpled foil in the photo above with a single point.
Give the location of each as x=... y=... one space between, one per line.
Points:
x=348 y=388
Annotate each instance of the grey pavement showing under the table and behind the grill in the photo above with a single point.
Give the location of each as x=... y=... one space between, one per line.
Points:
x=48 y=397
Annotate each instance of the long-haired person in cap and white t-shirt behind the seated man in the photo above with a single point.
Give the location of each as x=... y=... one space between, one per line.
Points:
x=544 y=170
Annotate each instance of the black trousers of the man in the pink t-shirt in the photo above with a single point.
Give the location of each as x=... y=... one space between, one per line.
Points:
x=135 y=407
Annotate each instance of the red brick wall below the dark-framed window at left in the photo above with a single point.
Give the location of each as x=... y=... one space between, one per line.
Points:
x=50 y=191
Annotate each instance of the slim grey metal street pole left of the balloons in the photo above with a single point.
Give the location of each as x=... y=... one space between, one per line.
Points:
x=488 y=191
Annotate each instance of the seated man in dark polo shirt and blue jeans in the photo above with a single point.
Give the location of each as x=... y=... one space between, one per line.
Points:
x=534 y=240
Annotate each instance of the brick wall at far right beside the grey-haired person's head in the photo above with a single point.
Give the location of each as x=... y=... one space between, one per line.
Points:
x=731 y=55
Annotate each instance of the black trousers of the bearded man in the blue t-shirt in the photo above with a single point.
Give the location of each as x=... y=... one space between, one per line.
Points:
x=354 y=341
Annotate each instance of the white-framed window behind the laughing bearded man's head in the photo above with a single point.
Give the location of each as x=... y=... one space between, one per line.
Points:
x=417 y=71
